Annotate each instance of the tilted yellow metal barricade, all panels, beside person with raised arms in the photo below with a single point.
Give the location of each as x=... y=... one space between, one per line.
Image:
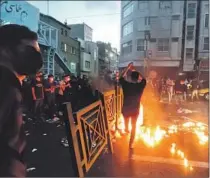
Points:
x=92 y=129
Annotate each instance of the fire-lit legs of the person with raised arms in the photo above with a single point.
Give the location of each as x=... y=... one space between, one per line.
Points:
x=133 y=116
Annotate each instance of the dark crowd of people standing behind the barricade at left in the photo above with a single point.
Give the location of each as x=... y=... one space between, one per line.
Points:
x=43 y=98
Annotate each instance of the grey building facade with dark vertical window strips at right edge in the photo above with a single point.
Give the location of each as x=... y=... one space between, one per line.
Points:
x=196 y=48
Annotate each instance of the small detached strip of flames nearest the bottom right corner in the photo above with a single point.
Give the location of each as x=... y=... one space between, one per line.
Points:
x=177 y=152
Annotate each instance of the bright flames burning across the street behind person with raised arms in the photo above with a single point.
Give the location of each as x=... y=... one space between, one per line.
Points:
x=153 y=135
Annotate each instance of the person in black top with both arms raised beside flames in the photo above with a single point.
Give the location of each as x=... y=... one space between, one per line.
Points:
x=132 y=91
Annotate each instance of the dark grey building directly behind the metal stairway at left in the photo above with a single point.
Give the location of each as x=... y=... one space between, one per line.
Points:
x=67 y=50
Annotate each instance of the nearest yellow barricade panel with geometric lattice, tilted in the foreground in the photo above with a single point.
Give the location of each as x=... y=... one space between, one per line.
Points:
x=87 y=135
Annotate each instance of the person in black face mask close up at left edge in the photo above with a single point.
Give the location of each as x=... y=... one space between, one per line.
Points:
x=19 y=56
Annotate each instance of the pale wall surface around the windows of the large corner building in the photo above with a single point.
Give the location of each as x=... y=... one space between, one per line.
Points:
x=162 y=25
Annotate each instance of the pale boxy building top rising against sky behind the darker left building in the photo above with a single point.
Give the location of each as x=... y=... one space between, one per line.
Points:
x=82 y=31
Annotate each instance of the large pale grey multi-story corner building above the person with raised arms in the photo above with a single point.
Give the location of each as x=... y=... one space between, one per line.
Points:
x=152 y=30
